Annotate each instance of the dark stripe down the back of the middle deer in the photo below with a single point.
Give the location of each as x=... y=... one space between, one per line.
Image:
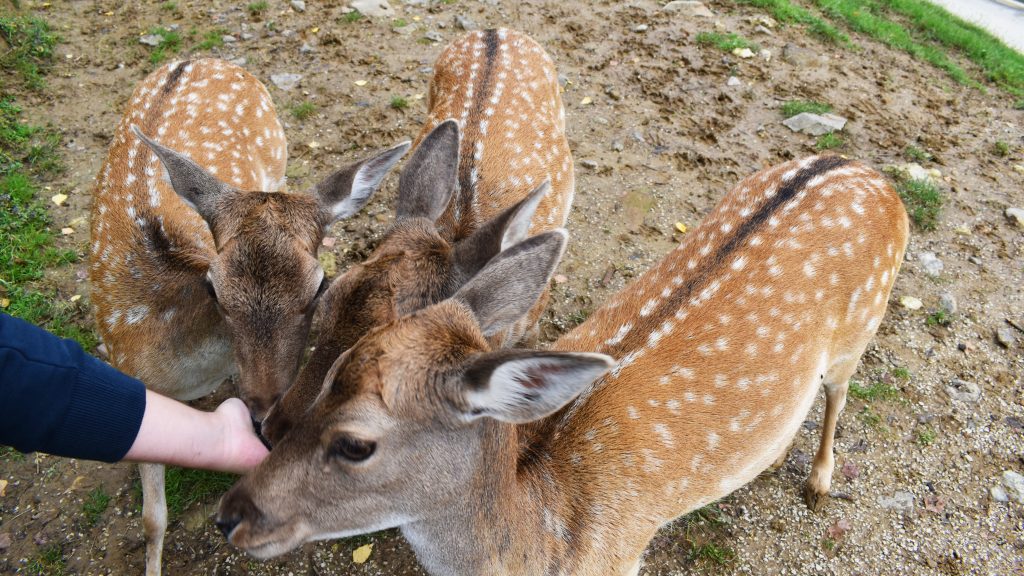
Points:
x=472 y=134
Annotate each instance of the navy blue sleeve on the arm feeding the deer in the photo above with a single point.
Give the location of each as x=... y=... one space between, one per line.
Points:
x=57 y=399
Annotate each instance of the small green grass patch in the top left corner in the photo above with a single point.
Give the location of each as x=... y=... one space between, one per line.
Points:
x=27 y=50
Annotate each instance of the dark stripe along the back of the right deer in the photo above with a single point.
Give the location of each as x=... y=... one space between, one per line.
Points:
x=704 y=275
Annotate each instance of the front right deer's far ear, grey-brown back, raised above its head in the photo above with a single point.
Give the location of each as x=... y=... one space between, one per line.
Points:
x=505 y=291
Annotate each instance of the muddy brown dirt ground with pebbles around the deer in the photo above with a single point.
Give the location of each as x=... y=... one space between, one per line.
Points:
x=665 y=137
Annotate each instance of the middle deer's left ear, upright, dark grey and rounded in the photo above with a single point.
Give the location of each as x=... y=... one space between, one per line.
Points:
x=429 y=180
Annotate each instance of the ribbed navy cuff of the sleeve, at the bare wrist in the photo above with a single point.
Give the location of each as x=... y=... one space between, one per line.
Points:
x=101 y=390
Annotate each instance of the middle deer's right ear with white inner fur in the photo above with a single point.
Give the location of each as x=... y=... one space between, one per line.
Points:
x=500 y=233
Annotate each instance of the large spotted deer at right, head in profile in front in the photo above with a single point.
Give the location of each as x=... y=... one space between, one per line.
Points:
x=527 y=463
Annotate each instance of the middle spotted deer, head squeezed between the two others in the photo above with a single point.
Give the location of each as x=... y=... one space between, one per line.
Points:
x=491 y=167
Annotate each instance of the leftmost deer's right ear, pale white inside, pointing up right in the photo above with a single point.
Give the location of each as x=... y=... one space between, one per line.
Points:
x=348 y=191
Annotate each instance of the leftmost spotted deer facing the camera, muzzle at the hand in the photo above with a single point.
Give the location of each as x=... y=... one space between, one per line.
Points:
x=210 y=271
